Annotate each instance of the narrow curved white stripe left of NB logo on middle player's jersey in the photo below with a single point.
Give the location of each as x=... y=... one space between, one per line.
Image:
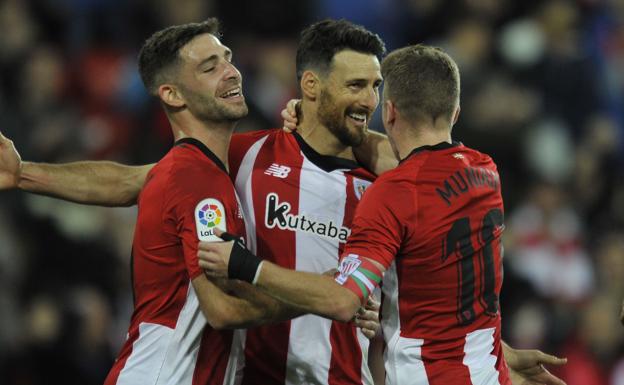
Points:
x=245 y=192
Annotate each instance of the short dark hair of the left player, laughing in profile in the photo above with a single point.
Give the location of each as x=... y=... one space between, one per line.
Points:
x=161 y=50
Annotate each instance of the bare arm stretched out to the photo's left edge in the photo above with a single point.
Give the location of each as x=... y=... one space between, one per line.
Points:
x=98 y=182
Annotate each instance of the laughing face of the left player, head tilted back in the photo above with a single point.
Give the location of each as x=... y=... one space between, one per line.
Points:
x=209 y=83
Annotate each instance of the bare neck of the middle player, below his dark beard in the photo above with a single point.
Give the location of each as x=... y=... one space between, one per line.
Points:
x=318 y=136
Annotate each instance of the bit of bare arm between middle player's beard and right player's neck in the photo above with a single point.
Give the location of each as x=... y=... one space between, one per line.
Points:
x=375 y=153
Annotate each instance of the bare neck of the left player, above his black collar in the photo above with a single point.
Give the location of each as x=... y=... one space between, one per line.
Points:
x=214 y=135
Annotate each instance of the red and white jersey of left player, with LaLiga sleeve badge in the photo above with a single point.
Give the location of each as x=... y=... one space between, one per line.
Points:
x=185 y=196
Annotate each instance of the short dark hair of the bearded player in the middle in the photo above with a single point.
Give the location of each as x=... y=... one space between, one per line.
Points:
x=324 y=39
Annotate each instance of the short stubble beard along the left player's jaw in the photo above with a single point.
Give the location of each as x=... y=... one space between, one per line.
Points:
x=210 y=108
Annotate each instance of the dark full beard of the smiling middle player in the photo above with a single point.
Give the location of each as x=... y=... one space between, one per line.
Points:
x=334 y=118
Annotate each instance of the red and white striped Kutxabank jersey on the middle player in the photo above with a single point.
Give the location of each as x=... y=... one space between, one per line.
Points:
x=298 y=208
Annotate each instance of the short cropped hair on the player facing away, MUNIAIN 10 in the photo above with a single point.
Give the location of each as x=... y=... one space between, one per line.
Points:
x=422 y=81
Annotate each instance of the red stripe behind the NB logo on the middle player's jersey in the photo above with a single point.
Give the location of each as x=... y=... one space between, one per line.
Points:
x=266 y=347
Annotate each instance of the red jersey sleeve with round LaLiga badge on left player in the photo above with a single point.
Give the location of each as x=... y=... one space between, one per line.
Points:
x=196 y=209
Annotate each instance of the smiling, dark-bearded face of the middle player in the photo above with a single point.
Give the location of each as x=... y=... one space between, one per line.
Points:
x=349 y=95
